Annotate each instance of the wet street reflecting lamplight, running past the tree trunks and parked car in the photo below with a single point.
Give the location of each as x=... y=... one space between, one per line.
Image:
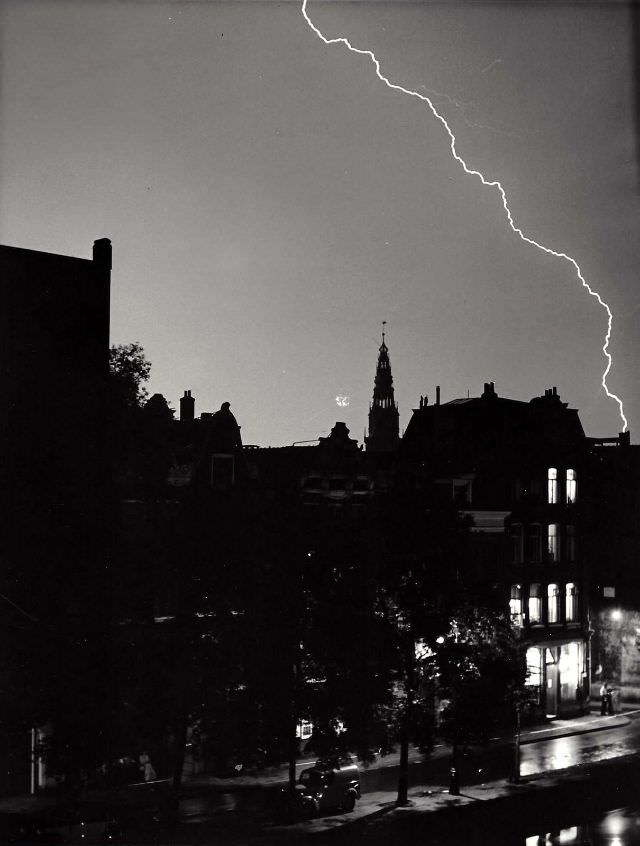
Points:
x=237 y=810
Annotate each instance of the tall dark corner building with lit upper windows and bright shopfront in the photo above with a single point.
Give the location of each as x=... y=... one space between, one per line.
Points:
x=515 y=468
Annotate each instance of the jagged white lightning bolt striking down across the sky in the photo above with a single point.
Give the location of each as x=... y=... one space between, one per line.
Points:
x=488 y=184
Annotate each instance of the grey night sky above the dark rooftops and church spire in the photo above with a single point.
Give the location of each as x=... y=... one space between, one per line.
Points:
x=270 y=201
